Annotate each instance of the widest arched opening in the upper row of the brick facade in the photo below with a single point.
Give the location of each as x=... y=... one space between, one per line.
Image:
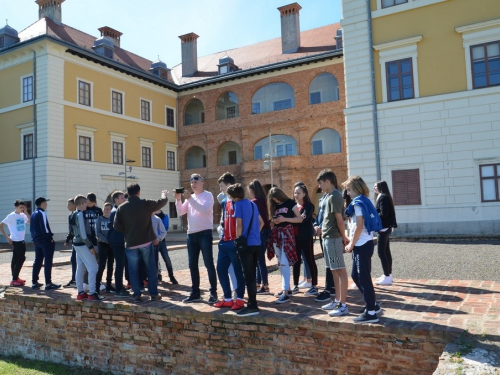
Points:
x=273 y=97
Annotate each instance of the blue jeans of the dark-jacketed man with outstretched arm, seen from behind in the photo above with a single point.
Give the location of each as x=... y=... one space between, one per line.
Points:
x=134 y=257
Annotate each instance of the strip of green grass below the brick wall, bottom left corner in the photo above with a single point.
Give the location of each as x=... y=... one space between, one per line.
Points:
x=16 y=365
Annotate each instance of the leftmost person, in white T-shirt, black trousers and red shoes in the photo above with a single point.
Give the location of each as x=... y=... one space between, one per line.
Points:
x=16 y=221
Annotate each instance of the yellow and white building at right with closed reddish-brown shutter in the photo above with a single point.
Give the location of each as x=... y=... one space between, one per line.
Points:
x=422 y=109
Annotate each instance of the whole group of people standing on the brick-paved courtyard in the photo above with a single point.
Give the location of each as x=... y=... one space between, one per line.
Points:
x=131 y=231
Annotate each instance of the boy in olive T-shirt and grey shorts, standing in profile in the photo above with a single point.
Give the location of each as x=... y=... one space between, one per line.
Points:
x=334 y=240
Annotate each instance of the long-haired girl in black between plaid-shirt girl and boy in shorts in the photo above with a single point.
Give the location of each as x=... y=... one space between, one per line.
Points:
x=304 y=242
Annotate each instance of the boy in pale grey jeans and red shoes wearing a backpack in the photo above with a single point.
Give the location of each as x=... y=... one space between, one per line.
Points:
x=85 y=253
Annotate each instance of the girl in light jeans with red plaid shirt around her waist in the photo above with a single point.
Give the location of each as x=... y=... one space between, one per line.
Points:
x=284 y=212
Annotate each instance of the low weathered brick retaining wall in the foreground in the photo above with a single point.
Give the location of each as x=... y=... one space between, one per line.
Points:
x=148 y=339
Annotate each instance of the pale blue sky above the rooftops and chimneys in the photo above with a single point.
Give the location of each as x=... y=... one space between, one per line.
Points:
x=151 y=27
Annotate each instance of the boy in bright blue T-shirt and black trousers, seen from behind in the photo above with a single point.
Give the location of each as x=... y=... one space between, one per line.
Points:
x=245 y=211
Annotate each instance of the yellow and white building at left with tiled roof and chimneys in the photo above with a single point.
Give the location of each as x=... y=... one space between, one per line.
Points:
x=79 y=111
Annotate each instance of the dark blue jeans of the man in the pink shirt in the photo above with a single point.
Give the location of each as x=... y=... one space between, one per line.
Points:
x=201 y=242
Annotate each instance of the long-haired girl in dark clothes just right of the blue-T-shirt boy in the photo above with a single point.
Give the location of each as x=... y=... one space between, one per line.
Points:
x=257 y=196
